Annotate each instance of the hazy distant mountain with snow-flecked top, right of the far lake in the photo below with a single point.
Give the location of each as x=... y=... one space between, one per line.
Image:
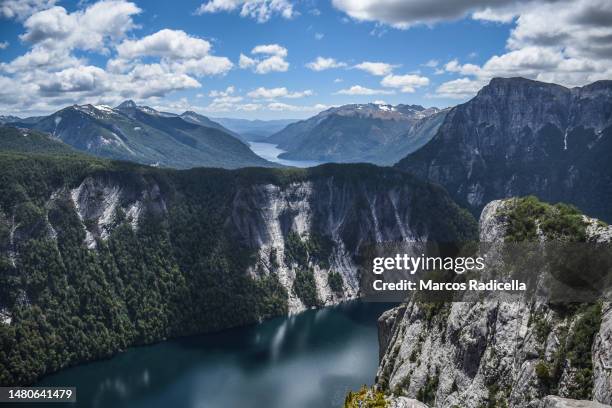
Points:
x=376 y=133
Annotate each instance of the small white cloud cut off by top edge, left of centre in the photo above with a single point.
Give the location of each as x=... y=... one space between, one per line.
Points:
x=260 y=10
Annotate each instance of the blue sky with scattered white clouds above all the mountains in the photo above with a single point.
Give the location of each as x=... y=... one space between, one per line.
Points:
x=271 y=59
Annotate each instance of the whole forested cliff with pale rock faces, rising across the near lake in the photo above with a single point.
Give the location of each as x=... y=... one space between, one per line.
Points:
x=96 y=256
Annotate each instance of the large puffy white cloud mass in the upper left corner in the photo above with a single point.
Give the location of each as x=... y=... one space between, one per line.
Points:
x=54 y=71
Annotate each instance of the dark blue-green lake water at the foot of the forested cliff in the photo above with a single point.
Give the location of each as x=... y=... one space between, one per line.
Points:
x=311 y=359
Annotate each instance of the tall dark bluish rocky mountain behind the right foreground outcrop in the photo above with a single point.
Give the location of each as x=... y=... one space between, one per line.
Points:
x=520 y=137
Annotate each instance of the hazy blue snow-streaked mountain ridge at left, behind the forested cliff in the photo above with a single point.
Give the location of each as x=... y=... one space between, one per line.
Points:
x=144 y=135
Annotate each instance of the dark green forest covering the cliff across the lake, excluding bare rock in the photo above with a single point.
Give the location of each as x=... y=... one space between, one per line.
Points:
x=181 y=271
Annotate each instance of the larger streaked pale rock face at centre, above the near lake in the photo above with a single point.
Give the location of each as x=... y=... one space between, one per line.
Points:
x=347 y=215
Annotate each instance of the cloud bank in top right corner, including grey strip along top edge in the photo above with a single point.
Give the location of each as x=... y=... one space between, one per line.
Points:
x=574 y=50
